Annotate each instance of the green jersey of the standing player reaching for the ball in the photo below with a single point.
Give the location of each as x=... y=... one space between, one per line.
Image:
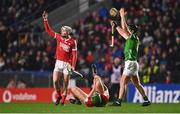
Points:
x=131 y=48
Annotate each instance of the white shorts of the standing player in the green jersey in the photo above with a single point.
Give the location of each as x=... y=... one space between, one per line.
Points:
x=131 y=68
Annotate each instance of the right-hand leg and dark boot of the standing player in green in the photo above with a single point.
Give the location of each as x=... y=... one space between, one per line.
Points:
x=137 y=84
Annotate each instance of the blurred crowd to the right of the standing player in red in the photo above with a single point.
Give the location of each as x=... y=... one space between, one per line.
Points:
x=159 y=56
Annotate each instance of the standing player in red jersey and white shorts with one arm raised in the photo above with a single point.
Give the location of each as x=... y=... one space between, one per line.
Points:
x=66 y=56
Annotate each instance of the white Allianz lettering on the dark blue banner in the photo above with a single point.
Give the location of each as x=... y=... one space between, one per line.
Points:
x=158 y=96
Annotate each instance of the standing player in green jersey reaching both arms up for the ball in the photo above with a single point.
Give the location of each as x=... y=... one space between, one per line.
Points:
x=130 y=72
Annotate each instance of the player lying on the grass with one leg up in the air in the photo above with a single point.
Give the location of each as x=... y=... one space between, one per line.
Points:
x=98 y=96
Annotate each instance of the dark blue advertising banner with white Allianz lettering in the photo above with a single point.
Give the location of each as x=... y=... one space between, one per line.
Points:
x=157 y=93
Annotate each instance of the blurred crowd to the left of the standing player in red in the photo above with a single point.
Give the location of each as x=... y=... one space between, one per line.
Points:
x=19 y=49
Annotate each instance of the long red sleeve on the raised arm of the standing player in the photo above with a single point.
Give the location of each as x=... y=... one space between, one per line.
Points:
x=49 y=30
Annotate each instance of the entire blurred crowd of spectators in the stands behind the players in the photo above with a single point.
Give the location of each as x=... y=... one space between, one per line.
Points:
x=159 y=53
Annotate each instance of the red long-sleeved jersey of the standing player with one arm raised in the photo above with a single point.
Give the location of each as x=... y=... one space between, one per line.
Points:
x=66 y=49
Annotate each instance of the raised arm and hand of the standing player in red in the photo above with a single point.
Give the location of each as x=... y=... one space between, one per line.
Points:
x=46 y=25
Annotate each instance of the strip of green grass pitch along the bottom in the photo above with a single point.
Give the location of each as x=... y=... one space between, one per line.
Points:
x=70 y=108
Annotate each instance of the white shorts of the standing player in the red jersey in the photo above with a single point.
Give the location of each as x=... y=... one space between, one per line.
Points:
x=62 y=66
